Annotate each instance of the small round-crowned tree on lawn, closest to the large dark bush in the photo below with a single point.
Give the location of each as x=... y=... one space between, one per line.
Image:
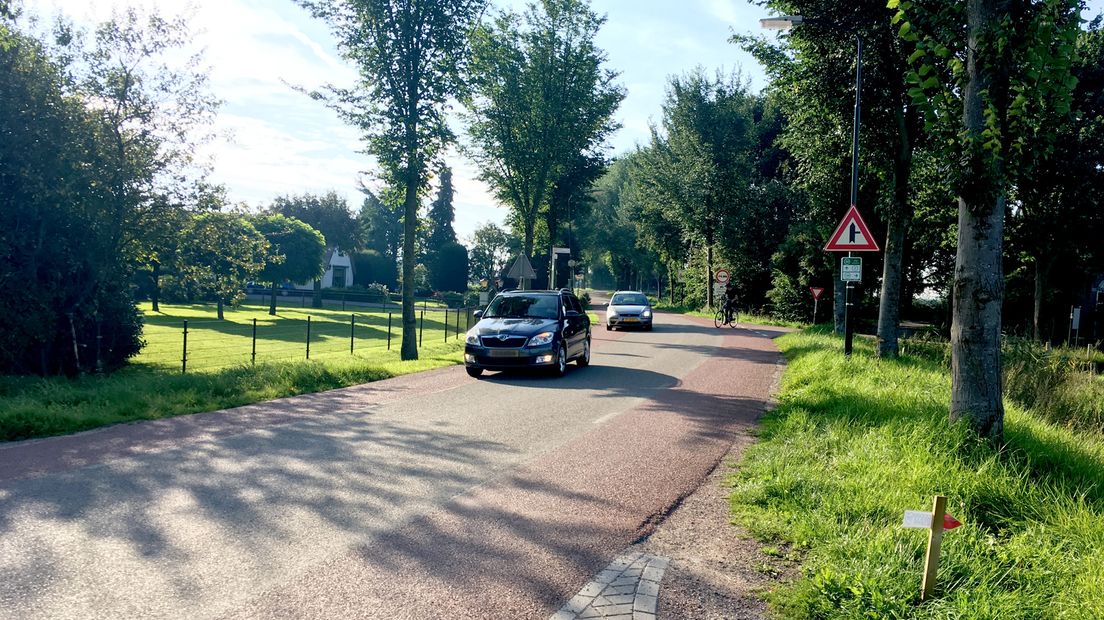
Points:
x=220 y=253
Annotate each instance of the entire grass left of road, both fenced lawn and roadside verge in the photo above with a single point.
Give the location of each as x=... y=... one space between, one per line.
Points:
x=220 y=373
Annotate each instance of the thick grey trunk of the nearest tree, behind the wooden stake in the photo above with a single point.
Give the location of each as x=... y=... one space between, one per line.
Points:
x=979 y=290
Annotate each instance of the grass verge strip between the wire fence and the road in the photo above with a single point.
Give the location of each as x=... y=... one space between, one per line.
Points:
x=39 y=408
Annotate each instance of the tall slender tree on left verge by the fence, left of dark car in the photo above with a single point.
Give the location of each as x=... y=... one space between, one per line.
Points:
x=410 y=58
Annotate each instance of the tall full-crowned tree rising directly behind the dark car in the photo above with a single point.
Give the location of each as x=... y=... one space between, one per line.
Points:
x=542 y=99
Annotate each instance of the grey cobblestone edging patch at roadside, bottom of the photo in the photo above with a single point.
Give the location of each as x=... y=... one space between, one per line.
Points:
x=628 y=590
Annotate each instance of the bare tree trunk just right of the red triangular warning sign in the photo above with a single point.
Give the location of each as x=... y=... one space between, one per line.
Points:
x=889 y=311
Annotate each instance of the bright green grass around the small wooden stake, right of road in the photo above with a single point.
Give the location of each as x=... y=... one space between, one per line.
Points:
x=856 y=443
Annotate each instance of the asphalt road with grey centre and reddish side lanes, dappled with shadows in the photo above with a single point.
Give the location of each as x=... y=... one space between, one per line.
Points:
x=431 y=496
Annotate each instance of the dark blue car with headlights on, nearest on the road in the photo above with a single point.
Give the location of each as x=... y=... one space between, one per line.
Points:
x=529 y=329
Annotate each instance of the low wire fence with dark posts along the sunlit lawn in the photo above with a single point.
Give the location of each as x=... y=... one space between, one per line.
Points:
x=201 y=344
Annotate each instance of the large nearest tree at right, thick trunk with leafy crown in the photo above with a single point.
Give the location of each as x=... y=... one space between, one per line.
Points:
x=991 y=99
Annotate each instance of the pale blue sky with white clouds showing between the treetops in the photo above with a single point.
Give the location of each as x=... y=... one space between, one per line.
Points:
x=274 y=141
